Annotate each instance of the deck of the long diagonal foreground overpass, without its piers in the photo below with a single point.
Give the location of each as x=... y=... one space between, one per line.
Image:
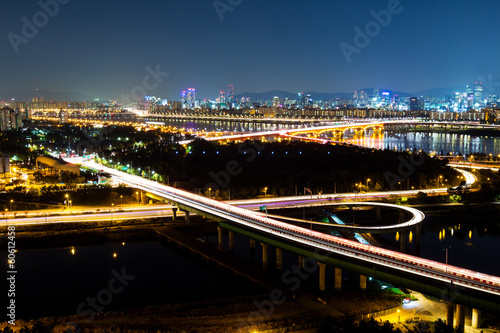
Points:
x=477 y=289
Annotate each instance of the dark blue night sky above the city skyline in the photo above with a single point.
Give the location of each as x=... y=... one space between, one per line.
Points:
x=102 y=48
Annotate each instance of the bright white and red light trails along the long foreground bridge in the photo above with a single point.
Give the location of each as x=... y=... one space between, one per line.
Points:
x=330 y=244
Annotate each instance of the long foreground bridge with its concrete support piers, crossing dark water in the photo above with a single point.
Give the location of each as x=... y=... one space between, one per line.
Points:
x=454 y=284
